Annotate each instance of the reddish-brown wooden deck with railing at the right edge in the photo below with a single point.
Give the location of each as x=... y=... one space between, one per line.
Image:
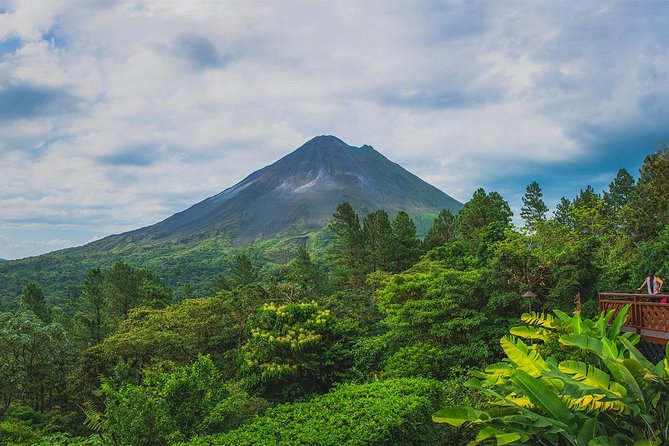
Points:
x=648 y=318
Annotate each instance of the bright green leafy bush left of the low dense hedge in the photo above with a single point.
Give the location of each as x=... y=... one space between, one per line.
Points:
x=173 y=405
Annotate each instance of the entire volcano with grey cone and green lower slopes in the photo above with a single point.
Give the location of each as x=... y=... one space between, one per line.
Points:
x=268 y=214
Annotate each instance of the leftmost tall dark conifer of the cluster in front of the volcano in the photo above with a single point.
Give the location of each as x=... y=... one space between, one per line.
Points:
x=348 y=251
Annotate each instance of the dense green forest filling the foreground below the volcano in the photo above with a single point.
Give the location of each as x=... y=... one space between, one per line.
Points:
x=357 y=340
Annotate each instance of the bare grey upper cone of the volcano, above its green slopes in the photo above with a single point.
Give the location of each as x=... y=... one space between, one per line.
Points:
x=300 y=192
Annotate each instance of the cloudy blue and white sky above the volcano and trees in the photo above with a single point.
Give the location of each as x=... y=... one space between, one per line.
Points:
x=115 y=114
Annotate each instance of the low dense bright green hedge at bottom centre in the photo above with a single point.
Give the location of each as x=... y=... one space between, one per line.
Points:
x=380 y=413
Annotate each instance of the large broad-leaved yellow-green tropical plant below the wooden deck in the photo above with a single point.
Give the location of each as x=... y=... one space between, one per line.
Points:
x=603 y=391
